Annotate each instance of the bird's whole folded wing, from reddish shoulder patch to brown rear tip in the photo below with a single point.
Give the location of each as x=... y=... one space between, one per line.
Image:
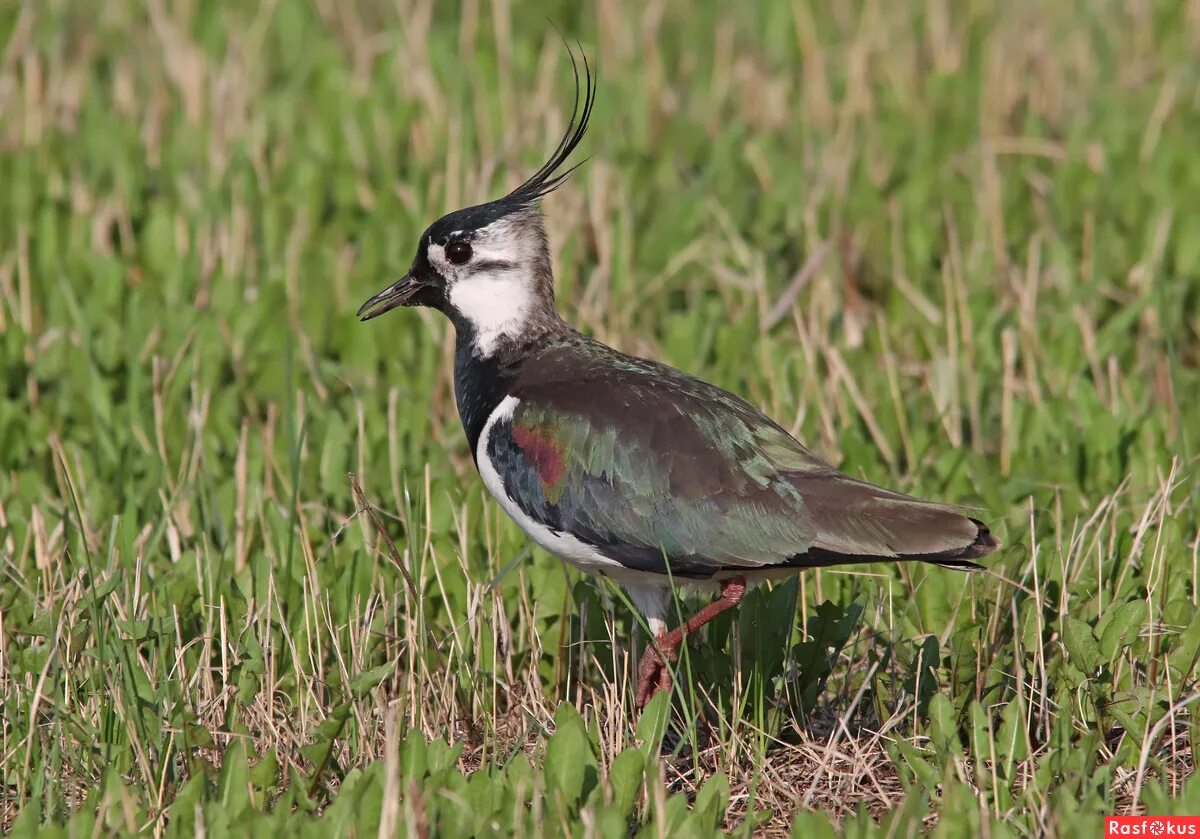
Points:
x=659 y=471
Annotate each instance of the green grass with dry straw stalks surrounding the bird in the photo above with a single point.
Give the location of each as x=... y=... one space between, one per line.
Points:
x=202 y=627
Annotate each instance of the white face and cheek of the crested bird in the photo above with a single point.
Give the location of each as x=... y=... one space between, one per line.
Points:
x=495 y=290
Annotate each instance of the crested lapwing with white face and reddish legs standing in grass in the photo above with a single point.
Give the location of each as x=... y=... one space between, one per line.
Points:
x=629 y=469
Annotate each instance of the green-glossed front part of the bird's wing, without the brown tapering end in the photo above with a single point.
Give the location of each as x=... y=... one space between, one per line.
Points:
x=651 y=466
